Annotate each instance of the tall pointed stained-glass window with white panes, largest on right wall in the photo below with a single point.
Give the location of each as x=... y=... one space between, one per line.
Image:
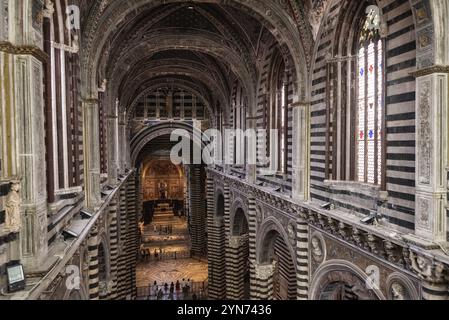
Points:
x=370 y=104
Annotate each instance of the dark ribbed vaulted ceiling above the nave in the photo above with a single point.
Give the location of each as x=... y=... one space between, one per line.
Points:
x=202 y=45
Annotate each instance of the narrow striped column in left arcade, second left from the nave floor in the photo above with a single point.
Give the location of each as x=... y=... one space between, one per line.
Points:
x=113 y=242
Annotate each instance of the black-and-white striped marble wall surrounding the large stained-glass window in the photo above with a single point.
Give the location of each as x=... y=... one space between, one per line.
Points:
x=400 y=55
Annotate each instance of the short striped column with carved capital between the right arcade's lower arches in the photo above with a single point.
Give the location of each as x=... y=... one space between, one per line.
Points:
x=262 y=284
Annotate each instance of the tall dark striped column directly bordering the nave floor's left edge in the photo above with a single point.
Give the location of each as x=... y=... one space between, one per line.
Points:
x=133 y=239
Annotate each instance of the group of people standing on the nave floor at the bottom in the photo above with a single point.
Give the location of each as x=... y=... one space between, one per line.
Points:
x=173 y=291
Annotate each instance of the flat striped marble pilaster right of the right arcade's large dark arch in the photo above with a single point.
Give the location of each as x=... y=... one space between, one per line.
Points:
x=302 y=259
